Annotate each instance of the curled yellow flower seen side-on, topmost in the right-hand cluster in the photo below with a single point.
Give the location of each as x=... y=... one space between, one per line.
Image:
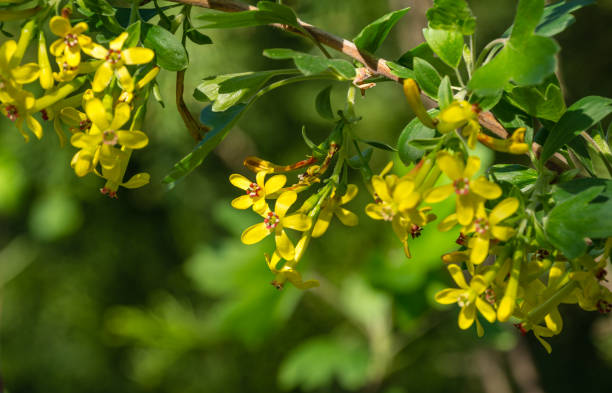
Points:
x=459 y=114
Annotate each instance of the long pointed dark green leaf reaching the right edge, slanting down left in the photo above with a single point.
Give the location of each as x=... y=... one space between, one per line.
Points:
x=579 y=117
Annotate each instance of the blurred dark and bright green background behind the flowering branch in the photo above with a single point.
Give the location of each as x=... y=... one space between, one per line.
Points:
x=155 y=293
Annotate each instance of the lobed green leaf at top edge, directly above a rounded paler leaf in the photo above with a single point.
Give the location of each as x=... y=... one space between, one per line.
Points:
x=451 y=15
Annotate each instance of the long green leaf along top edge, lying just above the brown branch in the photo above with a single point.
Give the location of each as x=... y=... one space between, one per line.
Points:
x=267 y=14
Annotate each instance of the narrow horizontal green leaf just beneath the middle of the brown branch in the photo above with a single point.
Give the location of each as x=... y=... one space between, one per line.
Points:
x=309 y=64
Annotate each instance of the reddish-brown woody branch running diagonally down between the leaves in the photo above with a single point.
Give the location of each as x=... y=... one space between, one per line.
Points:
x=375 y=65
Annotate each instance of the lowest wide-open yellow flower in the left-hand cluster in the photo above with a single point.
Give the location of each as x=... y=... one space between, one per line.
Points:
x=98 y=144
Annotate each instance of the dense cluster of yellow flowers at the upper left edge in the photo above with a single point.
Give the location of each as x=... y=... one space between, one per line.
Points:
x=101 y=131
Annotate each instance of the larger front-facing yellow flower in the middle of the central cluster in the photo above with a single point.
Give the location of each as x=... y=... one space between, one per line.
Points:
x=275 y=222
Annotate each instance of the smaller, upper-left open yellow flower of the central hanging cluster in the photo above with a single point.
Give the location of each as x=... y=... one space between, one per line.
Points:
x=257 y=192
